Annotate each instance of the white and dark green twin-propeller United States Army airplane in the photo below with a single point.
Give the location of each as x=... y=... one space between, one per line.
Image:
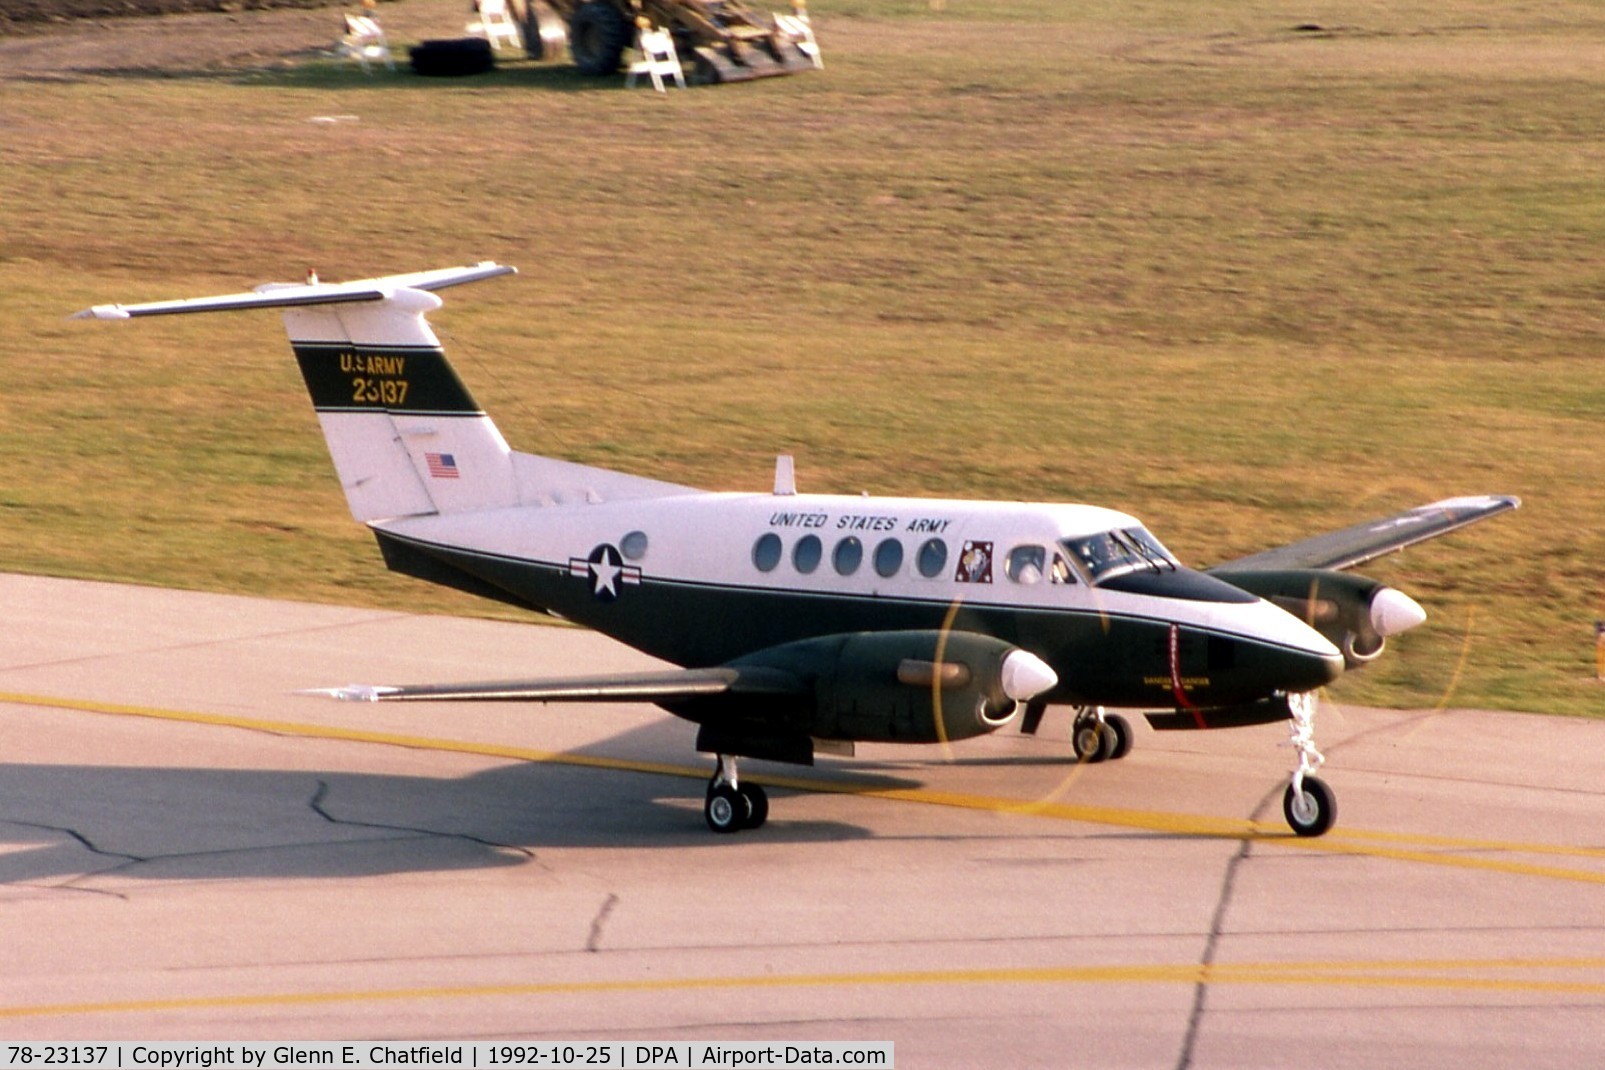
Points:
x=807 y=623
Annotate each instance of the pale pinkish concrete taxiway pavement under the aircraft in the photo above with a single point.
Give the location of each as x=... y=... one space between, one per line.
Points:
x=192 y=851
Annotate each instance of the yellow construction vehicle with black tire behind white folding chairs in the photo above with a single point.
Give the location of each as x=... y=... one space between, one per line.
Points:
x=725 y=41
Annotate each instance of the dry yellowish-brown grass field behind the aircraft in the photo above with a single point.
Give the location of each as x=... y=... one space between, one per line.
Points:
x=1245 y=280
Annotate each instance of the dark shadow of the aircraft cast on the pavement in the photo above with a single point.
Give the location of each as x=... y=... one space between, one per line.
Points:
x=73 y=824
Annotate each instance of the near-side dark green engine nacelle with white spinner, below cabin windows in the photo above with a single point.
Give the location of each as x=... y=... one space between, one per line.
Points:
x=909 y=687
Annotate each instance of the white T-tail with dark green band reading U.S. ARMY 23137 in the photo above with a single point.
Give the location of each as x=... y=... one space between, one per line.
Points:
x=405 y=434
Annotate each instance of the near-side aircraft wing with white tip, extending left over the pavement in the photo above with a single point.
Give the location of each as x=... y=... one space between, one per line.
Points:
x=636 y=687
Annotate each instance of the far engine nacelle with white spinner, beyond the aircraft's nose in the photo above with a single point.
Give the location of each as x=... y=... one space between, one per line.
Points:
x=1354 y=614
